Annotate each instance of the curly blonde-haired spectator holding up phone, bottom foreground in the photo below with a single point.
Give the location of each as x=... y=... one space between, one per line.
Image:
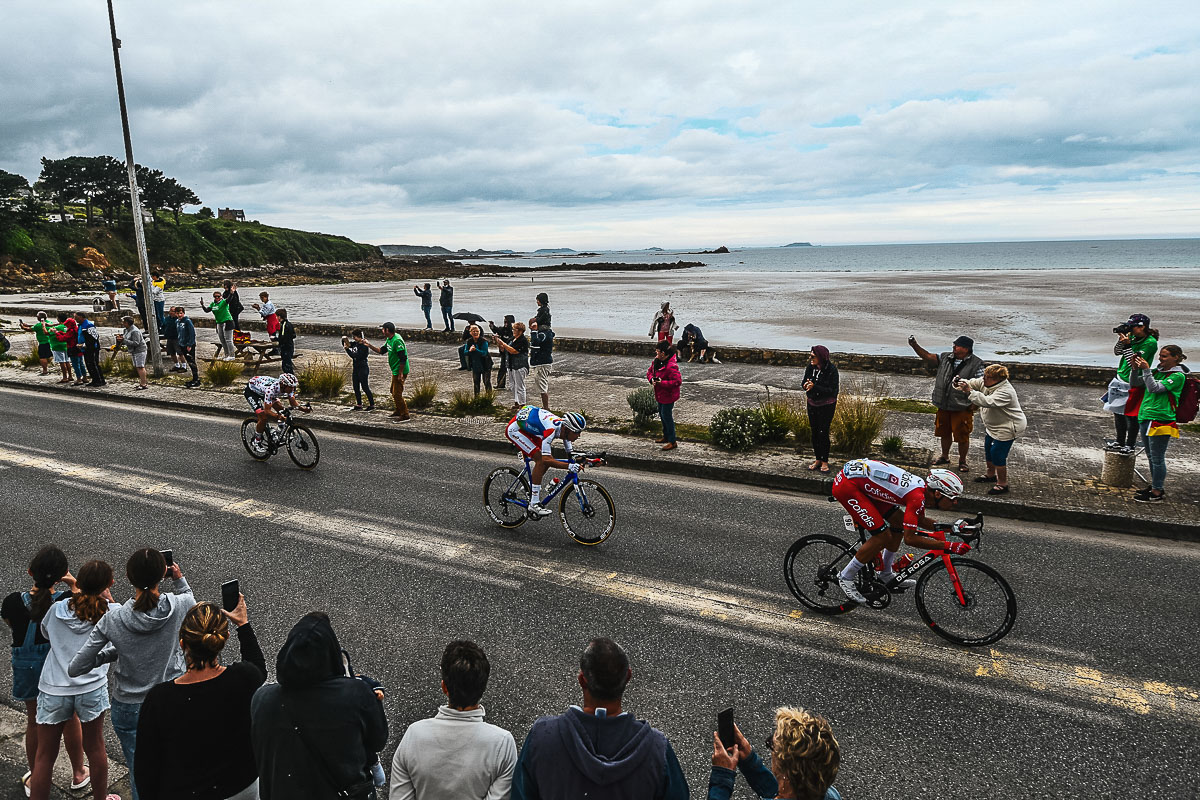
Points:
x=805 y=761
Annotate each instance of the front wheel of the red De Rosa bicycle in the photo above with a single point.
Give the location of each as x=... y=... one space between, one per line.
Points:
x=989 y=610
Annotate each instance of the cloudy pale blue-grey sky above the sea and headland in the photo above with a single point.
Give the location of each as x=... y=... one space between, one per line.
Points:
x=633 y=124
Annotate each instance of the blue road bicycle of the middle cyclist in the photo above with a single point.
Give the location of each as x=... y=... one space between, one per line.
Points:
x=585 y=508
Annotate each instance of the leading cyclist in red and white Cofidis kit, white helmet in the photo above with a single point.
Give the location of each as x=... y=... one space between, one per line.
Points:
x=866 y=486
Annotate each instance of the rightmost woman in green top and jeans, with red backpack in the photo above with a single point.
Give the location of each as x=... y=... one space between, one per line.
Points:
x=1157 y=416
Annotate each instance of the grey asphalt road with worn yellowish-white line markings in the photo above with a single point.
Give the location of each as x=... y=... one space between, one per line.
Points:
x=1094 y=694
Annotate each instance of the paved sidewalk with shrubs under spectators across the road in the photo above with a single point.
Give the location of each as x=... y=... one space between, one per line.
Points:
x=1054 y=467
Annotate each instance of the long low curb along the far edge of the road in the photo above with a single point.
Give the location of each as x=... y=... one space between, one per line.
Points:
x=1046 y=515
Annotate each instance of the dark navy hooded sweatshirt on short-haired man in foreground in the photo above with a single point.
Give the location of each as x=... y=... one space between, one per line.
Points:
x=579 y=755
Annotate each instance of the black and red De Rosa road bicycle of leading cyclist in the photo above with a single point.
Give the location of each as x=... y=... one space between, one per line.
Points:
x=963 y=600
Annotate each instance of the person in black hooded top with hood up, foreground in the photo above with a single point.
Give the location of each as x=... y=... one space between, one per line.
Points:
x=316 y=732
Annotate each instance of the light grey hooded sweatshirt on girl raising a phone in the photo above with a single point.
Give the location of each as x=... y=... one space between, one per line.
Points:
x=146 y=646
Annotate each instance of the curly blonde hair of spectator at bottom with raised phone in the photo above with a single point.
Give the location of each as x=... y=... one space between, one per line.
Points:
x=806 y=753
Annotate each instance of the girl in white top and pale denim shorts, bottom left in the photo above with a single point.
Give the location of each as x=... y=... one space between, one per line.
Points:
x=65 y=701
